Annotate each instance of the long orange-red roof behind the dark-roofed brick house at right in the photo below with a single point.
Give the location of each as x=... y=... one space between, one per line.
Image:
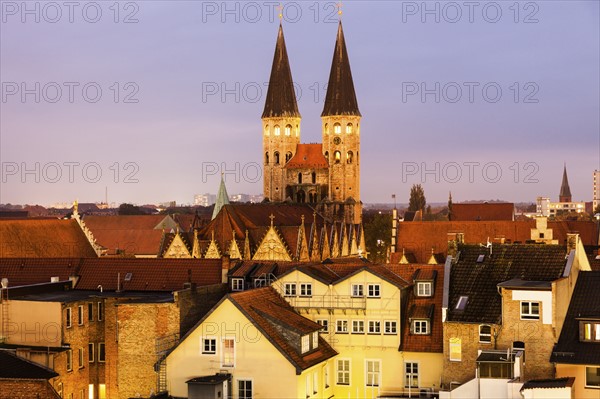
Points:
x=419 y=238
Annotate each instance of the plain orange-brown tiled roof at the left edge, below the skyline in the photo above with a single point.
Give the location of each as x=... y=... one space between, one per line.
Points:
x=43 y=238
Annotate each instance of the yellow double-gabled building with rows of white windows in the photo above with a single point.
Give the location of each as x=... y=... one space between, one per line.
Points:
x=359 y=306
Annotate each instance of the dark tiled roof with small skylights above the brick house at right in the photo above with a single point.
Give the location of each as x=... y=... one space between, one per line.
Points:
x=479 y=281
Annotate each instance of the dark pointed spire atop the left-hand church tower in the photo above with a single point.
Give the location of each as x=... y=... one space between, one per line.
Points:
x=281 y=97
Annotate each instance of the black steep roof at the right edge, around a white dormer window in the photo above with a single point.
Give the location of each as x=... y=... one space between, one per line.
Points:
x=585 y=302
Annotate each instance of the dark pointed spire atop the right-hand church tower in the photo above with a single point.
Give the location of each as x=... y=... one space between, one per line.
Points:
x=340 y=98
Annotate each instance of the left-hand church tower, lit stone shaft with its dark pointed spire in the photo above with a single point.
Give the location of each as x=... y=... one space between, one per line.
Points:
x=280 y=123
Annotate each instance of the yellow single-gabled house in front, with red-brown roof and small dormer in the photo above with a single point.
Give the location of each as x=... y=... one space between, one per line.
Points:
x=252 y=345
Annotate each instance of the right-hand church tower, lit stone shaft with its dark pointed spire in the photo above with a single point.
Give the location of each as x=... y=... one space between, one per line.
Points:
x=341 y=138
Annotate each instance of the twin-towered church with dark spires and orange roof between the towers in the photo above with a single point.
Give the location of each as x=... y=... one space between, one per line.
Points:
x=325 y=175
